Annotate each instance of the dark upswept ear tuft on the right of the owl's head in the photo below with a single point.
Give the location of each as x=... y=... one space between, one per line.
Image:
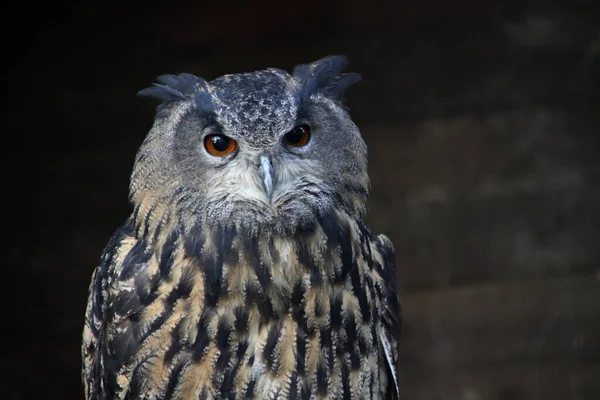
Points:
x=324 y=76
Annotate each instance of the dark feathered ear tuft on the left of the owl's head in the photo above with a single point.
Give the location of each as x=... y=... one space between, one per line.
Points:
x=177 y=87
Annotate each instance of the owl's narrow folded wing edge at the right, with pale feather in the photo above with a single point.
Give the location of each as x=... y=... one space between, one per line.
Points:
x=390 y=323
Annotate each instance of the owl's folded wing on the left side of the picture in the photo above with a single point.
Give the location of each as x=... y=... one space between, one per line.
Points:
x=120 y=286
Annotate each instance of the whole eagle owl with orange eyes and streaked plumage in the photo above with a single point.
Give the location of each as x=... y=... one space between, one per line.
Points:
x=246 y=269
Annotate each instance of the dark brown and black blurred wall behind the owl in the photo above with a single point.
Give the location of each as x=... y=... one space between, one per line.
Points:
x=482 y=120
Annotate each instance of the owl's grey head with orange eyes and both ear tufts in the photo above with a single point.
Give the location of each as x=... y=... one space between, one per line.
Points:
x=256 y=149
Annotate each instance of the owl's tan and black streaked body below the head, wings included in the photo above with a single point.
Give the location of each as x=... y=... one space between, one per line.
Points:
x=213 y=313
